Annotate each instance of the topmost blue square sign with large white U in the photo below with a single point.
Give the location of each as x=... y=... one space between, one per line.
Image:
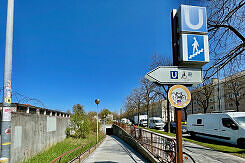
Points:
x=192 y=19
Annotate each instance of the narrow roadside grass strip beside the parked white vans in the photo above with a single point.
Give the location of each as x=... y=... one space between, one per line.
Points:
x=216 y=145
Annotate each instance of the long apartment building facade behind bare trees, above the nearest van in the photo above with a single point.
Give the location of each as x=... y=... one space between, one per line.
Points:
x=219 y=96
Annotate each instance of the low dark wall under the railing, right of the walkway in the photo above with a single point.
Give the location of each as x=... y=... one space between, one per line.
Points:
x=122 y=134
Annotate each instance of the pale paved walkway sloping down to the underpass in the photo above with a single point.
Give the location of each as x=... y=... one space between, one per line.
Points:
x=114 y=150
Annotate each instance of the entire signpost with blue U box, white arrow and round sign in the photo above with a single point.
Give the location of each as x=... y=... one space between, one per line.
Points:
x=190 y=49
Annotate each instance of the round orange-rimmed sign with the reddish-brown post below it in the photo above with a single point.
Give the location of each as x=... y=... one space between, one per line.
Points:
x=179 y=96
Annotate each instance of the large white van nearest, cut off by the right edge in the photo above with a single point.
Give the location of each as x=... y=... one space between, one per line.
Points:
x=226 y=127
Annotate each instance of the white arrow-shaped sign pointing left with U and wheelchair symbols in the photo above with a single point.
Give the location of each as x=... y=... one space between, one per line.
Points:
x=175 y=75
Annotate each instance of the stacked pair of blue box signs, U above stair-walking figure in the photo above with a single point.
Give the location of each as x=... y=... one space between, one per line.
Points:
x=192 y=24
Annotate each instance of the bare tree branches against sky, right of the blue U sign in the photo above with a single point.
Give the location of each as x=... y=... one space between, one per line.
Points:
x=226 y=26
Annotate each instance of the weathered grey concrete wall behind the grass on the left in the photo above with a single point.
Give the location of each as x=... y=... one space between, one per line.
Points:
x=33 y=133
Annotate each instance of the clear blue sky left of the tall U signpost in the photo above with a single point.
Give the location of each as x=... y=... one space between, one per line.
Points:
x=67 y=52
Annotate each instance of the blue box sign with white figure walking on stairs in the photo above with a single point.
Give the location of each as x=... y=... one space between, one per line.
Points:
x=194 y=48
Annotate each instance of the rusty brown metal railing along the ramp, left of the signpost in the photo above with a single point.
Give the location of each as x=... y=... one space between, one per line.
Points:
x=161 y=146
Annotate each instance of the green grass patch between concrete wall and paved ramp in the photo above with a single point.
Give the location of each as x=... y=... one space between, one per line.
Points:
x=63 y=147
